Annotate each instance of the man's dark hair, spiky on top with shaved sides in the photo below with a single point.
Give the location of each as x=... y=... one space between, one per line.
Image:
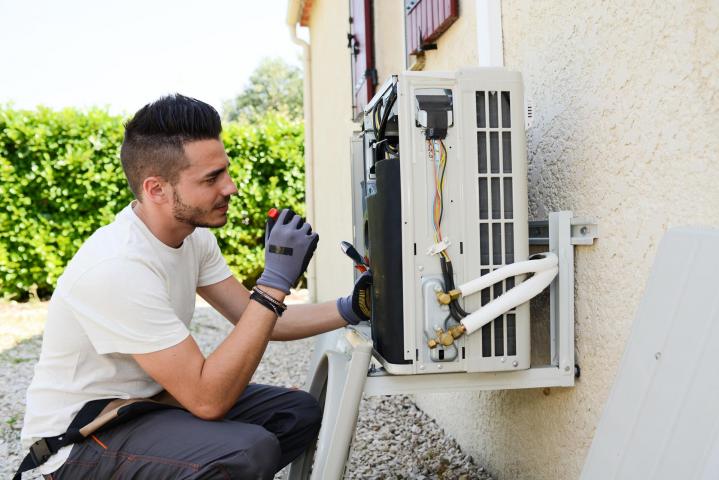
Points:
x=155 y=136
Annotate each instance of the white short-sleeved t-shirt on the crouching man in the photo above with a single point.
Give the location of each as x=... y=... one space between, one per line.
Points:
x=123 y=292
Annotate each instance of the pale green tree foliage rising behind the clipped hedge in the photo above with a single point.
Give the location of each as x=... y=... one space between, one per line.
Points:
x=274 y=86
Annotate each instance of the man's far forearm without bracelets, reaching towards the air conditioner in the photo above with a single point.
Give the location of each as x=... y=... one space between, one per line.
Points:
x=302 y=321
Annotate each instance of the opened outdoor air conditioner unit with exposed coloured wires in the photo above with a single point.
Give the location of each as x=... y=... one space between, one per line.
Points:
x=440 y=202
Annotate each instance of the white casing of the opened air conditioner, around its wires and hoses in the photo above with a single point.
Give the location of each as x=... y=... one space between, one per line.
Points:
x=469 y=210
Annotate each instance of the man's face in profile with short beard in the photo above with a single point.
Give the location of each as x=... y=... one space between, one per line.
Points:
x=201 y=196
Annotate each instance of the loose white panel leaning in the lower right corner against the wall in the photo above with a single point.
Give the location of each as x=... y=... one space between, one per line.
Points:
x=662 y=417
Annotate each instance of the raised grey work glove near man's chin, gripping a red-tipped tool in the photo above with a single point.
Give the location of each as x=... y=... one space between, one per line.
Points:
x=289 y=246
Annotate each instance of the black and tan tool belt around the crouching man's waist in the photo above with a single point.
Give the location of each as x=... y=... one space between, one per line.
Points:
x=94 y=416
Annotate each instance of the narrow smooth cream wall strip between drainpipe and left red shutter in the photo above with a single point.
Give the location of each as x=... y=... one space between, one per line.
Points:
x=332 y=128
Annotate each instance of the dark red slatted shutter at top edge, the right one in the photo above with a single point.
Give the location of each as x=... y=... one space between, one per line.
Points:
x=427 y=20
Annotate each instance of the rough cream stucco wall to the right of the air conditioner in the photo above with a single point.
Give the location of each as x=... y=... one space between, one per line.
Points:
x=626 y=132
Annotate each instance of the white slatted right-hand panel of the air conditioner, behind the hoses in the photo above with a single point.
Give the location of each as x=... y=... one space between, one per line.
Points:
x=495 y=152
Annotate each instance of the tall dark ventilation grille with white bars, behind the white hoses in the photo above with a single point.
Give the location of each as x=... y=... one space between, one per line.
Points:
x=496 y=212
